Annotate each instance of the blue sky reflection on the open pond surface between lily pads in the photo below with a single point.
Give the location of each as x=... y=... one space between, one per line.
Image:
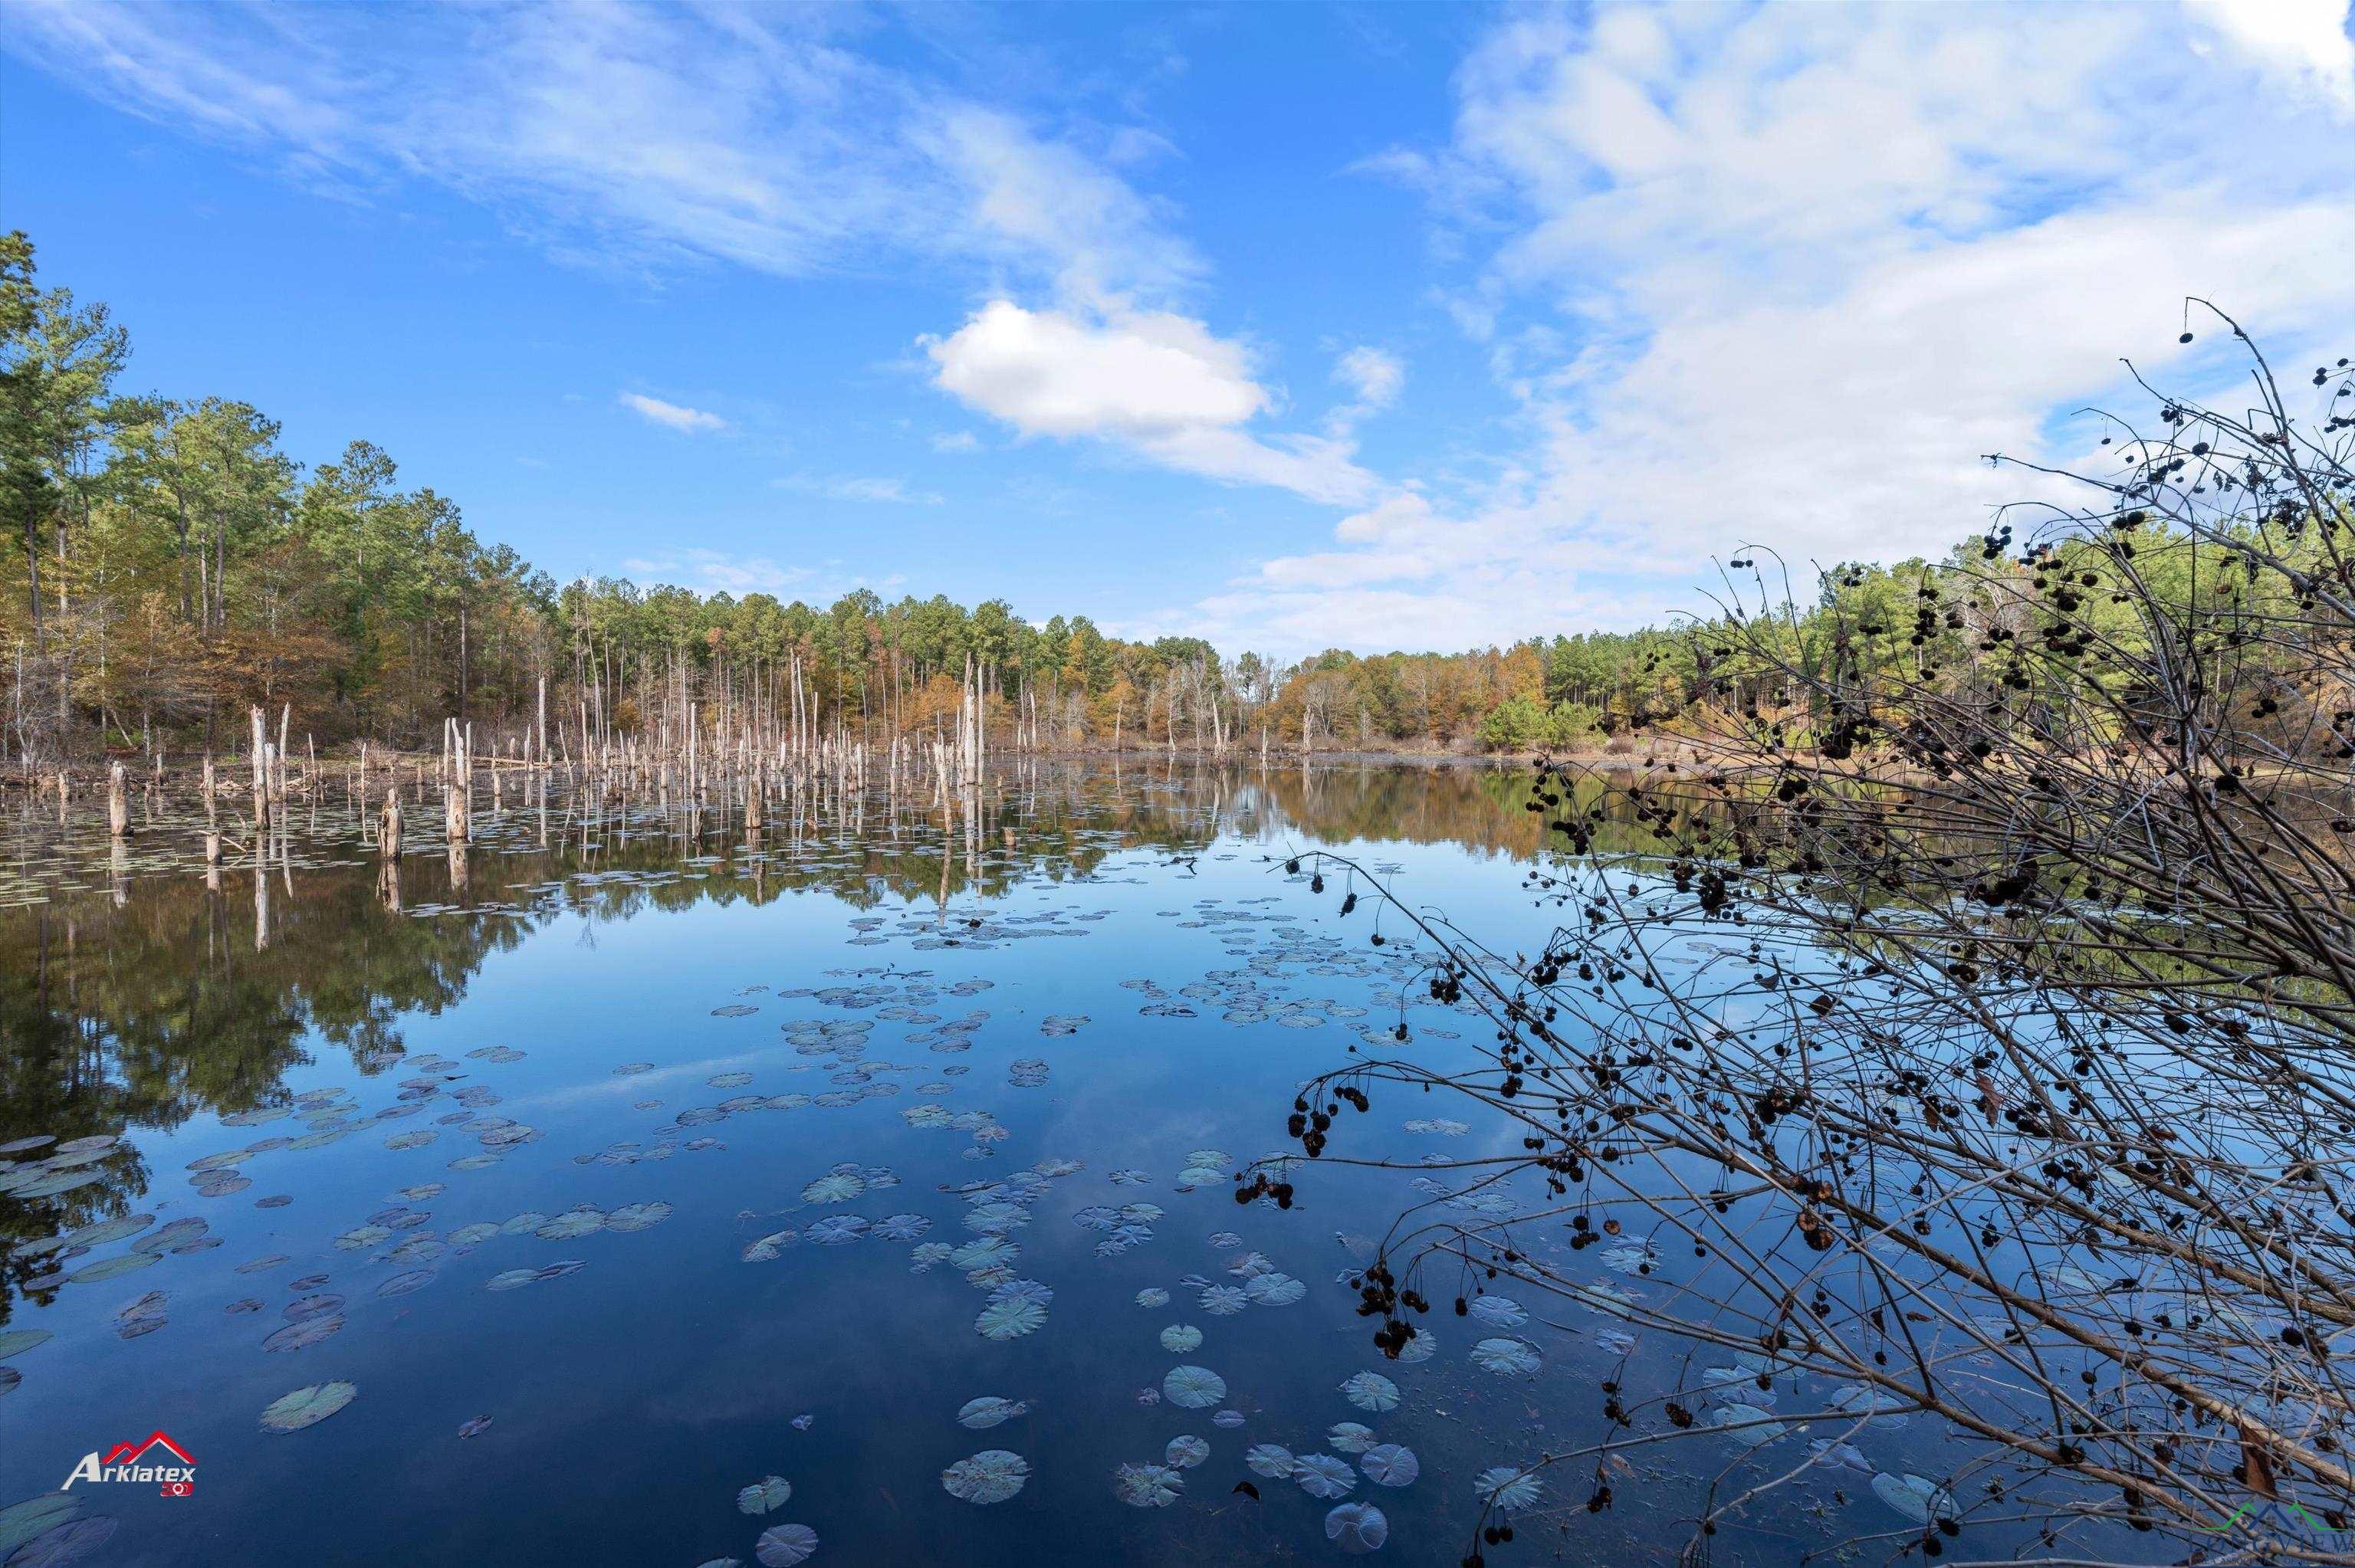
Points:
x=632 y=1400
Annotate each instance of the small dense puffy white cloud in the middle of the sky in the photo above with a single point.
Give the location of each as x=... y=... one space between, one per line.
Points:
x=1150 y=383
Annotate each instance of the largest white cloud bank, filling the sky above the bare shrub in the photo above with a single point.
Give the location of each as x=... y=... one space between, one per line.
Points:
x=1784 y=274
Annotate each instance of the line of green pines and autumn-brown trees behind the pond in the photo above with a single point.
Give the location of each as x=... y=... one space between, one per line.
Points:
x=173 y=564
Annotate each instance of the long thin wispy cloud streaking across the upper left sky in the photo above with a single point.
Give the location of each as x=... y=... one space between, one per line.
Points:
x=630 y=133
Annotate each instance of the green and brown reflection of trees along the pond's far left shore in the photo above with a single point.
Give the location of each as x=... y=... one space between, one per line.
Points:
x=152 y=1002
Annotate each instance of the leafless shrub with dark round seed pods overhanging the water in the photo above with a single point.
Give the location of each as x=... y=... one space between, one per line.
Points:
x=1965 y=1039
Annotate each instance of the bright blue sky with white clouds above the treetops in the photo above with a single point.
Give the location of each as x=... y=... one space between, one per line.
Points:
x=1289 y=326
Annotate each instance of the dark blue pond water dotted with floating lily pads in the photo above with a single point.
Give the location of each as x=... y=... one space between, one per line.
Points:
x=493 y=1145
